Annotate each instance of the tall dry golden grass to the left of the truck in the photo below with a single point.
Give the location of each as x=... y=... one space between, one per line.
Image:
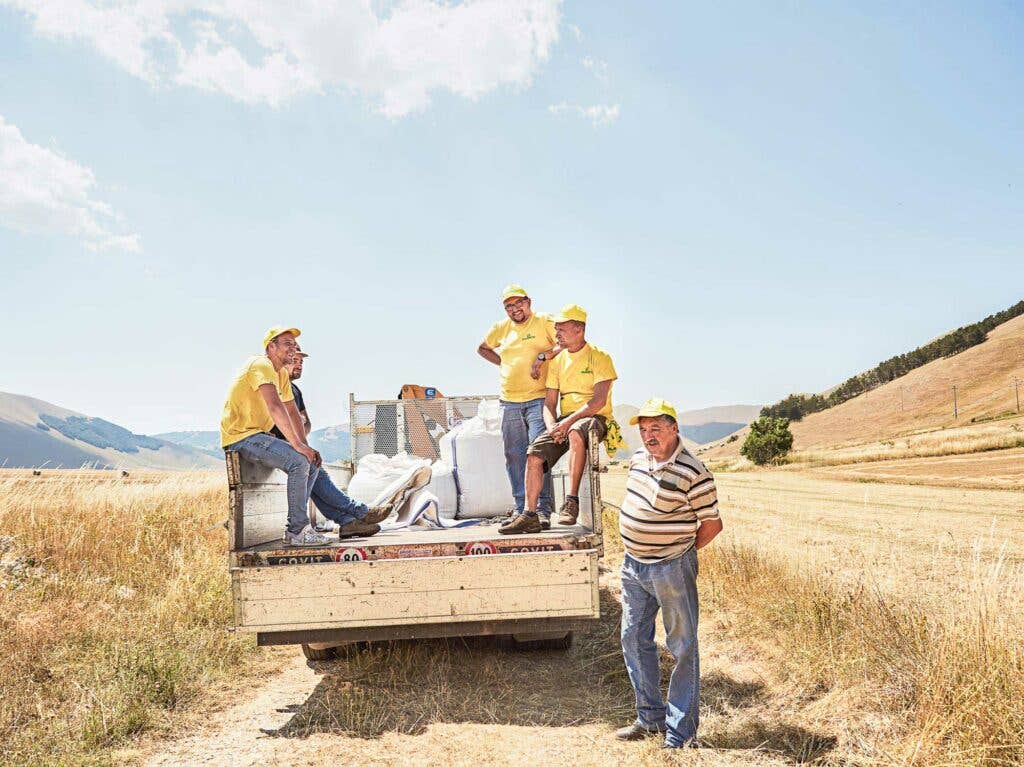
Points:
x=114 y=601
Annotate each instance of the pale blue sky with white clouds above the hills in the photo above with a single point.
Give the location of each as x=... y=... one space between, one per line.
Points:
x=748 y=201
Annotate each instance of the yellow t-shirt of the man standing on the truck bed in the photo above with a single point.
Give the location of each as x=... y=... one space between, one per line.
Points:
x=519 y=347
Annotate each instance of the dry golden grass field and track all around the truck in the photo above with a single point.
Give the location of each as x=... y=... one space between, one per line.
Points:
x=843 y=624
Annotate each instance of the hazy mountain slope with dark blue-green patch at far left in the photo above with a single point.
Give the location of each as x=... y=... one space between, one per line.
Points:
x=35 y=434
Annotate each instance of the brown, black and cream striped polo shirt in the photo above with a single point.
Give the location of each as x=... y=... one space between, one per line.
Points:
x=665 y=504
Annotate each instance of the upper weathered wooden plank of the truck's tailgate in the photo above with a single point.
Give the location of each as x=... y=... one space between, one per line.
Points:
x=350 y=580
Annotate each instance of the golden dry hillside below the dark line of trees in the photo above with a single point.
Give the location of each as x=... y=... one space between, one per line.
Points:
x=923 y=400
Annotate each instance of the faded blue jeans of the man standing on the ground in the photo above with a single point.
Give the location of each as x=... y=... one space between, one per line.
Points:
x=671 y=587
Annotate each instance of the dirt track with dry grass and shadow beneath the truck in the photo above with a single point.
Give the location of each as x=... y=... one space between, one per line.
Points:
x=477 y=703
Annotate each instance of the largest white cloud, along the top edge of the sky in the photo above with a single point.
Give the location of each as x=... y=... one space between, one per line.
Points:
x=268 y=53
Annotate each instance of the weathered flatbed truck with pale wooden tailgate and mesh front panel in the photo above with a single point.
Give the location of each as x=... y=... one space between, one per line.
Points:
x=408 y=583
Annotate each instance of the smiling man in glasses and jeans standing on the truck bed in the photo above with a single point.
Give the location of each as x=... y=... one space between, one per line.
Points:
x=521 y=346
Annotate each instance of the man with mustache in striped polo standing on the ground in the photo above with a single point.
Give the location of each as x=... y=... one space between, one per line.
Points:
x=669 y=513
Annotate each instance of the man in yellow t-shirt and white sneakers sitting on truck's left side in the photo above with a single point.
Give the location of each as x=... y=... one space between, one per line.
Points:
x=261 y=399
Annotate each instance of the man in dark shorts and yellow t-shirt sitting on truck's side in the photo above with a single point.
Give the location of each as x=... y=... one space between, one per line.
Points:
x=579 y=385
